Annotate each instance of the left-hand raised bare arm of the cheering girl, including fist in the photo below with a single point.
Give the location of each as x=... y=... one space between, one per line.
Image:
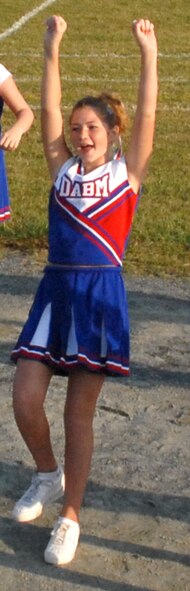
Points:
x=52 y=124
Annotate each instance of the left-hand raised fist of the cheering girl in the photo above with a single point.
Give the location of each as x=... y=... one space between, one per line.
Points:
x=56 y=27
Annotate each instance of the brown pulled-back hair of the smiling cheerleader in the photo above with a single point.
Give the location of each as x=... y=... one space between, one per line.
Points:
x=109 y=107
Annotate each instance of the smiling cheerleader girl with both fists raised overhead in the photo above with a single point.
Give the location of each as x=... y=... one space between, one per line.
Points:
x=78 y=324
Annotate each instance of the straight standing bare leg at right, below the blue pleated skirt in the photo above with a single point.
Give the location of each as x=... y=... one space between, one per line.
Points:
x=83 y=390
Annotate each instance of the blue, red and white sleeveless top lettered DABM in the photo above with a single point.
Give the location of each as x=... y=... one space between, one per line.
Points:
x=90 y=215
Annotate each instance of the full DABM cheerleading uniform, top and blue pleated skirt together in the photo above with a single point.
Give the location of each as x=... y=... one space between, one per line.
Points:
x=79 y=316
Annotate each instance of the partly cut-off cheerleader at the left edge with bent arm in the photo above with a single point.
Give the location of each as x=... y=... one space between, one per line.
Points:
x=10 y=139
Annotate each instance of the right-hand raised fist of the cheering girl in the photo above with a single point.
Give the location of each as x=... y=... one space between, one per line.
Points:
x=143 y=31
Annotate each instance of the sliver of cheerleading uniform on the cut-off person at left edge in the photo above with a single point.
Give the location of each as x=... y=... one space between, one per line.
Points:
x=4 y=193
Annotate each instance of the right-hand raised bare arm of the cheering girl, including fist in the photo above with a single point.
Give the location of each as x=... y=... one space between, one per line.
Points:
x=141 y=143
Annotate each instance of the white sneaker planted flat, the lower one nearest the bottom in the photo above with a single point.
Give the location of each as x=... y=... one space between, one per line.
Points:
x=63 y=542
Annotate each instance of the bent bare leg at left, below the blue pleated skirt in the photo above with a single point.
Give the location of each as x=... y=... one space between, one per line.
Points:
x=30 y=387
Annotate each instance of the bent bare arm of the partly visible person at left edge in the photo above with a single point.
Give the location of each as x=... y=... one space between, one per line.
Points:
x=23 y=115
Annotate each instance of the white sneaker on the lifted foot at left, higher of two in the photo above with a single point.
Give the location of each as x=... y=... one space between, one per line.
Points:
x=45 y=488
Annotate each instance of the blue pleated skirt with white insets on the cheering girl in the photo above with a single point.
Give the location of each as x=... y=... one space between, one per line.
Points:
x=78 y=318
